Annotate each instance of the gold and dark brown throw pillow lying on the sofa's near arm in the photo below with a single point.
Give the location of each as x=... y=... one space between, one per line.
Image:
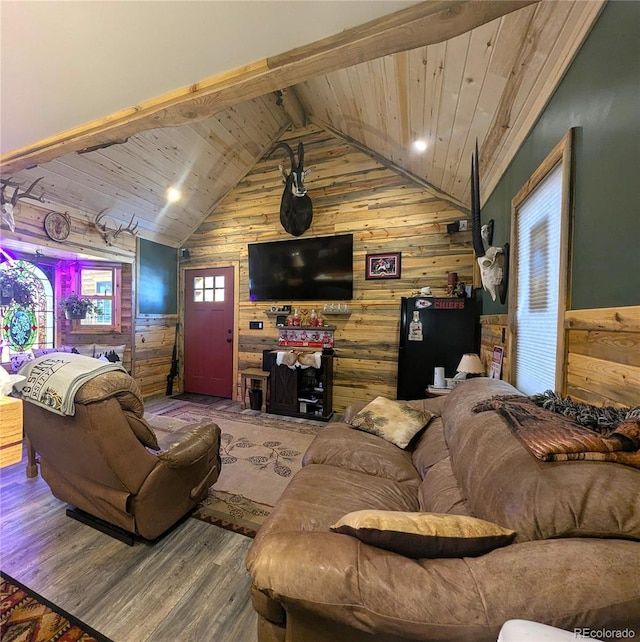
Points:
x=420 y=535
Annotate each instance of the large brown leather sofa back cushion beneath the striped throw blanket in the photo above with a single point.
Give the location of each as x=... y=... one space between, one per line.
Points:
x=504 y=483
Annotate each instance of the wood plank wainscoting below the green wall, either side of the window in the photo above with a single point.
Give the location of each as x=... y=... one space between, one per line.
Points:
x=602 y=364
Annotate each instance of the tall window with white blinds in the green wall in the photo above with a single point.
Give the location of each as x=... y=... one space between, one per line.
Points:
x=539 y=236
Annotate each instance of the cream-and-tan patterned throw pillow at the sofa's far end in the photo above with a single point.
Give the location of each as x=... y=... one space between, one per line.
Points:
x=392 y=420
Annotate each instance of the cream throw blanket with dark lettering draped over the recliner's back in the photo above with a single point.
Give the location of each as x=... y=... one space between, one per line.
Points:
x=53 y=380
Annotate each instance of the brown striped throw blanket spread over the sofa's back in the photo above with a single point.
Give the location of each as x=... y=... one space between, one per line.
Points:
x=554 y=437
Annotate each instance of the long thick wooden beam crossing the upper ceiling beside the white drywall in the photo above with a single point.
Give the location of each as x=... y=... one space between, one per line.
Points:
x=426 y=23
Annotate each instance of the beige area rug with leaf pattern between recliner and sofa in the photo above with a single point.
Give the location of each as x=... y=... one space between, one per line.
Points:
x=259 y=453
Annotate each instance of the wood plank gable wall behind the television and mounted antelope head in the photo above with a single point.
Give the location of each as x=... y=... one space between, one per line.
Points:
x=351 y=193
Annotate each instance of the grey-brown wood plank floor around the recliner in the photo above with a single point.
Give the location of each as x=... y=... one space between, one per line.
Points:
x=190 y=586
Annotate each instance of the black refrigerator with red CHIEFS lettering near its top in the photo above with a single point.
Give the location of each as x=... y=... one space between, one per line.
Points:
x=434 y=332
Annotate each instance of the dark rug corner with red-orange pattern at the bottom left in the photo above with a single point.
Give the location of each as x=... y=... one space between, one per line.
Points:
x=26 y=616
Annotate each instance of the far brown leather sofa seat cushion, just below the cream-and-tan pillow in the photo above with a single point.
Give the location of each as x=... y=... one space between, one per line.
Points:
x=339 y=445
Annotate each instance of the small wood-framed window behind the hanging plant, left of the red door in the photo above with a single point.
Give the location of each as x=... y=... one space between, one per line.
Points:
x=100 y=284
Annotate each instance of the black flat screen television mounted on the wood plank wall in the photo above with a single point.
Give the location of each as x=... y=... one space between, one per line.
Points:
x=309 y=269
